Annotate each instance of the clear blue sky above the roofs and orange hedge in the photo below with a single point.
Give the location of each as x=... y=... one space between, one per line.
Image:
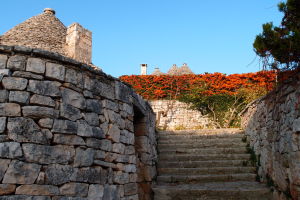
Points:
x=210 y=36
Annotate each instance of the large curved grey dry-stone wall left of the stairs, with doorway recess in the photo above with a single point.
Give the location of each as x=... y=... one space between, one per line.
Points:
x=69 y=131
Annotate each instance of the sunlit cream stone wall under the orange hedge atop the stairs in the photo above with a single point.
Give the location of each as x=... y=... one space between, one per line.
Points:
x=175 y=115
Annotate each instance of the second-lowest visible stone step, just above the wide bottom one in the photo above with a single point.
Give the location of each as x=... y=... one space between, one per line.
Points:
x=193 y=179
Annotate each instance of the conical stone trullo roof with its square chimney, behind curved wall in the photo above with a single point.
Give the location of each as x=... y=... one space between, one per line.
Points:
x=47 y=32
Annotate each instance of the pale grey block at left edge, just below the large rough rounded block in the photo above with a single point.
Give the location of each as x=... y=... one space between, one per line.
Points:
x=10 y=150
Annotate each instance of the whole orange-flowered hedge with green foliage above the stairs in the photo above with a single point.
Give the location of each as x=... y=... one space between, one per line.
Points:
x=218 y=95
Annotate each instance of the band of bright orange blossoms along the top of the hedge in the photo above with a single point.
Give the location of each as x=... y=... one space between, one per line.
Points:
x=173 y=87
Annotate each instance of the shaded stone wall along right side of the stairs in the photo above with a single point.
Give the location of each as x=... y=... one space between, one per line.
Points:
x=272 y=125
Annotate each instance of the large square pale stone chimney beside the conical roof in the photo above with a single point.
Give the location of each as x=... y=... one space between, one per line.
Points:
x=79 y=43
